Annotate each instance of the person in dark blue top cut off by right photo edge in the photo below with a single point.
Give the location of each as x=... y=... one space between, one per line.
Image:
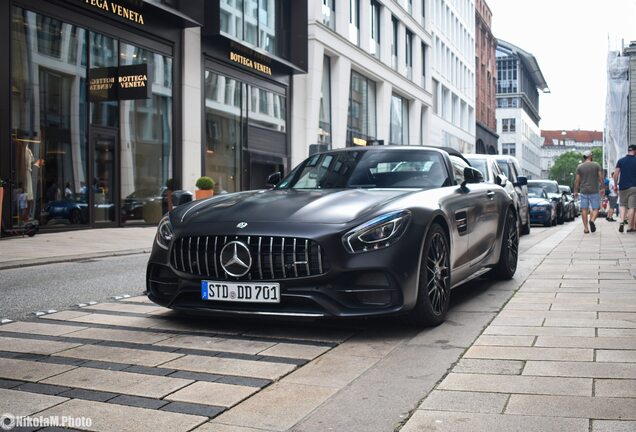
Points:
x=625 y=184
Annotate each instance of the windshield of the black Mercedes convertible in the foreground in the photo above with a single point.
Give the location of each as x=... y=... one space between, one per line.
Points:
x=369 y=169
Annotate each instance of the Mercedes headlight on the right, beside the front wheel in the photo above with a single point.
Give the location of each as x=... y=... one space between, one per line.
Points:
x=378 y=233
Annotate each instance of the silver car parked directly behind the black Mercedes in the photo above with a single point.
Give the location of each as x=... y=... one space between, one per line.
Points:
x=490 y=167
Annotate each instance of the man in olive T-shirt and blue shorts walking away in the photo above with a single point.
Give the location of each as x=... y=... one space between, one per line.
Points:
x=589 y=183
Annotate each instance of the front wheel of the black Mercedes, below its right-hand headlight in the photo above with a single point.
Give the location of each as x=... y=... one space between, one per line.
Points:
x=433 y=290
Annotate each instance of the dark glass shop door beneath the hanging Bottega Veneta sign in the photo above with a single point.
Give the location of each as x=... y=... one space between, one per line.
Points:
x=104 y=197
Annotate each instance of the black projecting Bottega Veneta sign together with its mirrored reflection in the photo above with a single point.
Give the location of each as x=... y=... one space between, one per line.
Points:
x=119 y=83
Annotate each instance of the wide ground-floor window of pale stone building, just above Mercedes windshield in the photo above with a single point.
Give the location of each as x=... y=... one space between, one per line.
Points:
x=361 y=122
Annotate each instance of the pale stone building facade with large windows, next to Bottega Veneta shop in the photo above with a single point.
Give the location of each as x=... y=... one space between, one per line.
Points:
x=368 y=79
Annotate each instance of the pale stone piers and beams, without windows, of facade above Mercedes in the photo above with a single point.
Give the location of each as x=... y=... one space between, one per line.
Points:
x=347 y=56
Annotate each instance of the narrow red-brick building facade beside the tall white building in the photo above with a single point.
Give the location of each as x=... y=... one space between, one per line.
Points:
x=486 y=81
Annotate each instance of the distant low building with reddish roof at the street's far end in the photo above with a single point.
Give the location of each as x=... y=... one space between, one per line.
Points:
x=557 y=142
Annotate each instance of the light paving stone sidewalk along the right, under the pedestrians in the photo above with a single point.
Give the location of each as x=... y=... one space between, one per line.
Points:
x=560 y=356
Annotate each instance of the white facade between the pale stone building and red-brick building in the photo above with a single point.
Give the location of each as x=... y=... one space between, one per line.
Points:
x=452 y=25
